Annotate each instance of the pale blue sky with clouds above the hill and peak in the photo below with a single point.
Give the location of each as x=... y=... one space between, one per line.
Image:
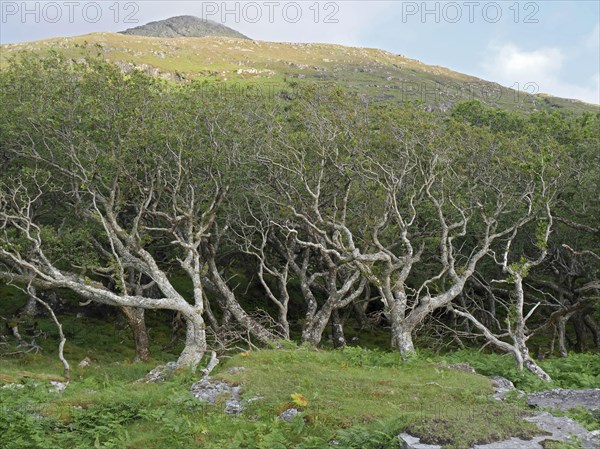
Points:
x=550 y=46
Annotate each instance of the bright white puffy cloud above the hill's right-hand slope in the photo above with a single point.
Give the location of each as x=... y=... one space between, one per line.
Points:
x=511 y=66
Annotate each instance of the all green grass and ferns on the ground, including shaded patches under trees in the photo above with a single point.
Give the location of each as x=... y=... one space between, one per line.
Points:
x=360 y=398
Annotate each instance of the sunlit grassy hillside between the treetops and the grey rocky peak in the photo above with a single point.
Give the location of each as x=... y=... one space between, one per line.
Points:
x=248 y=68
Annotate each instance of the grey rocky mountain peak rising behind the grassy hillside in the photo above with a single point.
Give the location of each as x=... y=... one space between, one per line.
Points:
x=184 y=26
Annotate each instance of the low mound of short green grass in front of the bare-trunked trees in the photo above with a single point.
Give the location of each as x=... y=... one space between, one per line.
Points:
x=355 y=386
